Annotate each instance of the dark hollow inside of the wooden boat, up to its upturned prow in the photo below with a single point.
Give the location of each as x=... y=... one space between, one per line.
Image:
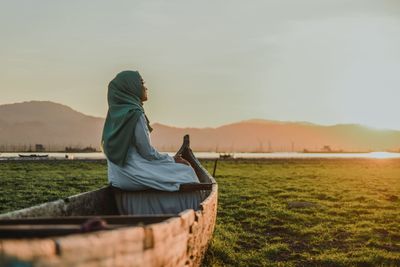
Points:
x=109 y=207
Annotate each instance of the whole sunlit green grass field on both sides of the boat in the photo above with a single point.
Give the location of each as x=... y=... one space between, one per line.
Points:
x=303 y=212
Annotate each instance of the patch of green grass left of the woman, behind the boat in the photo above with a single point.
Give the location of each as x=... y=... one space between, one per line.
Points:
x=23 y=184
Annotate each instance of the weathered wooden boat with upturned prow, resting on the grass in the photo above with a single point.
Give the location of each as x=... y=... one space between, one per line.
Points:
x=56 y=233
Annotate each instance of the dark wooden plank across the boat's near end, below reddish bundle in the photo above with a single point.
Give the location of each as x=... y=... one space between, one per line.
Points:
x=110 y=219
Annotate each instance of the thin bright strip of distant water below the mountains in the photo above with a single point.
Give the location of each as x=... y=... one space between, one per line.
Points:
x=213 y=155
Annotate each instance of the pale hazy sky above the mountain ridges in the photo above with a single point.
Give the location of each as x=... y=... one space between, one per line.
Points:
x=209 y=63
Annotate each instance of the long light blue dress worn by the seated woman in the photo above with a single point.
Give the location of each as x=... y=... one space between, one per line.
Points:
x=146 y=168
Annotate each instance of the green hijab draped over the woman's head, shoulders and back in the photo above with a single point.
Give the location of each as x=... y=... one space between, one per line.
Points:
x=124 y=110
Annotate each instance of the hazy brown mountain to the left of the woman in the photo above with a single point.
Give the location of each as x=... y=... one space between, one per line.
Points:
x=43 y=122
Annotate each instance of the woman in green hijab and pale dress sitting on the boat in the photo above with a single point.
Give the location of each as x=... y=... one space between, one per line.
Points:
x=133 y=163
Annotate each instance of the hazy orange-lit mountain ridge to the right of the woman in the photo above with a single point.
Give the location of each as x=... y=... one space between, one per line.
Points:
x=264 y=136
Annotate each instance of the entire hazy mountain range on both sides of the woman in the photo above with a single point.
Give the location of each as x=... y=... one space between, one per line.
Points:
x=56 y=126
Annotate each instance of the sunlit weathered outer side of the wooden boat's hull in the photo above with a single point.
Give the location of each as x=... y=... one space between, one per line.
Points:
x=178 y=241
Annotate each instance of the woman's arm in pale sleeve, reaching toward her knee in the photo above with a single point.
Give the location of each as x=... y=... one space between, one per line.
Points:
x=143 y=142
